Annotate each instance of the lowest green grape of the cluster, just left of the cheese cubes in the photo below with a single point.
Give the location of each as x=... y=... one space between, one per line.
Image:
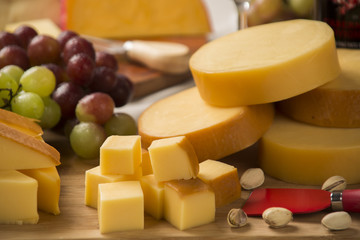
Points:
x=86 y=139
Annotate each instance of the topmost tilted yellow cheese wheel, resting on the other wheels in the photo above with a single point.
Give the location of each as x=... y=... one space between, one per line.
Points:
x=265 y=63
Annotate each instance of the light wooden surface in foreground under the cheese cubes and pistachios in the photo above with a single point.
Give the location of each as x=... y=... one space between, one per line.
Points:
x=78 y=221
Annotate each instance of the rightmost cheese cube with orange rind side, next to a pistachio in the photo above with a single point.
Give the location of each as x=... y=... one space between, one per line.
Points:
x=223 y=179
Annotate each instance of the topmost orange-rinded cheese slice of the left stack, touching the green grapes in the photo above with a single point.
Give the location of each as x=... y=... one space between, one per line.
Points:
x=23 y=124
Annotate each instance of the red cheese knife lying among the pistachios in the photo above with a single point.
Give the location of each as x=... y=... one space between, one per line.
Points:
x=301 y=200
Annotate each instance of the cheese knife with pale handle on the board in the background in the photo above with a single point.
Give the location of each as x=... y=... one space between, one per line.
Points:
x=167 y=57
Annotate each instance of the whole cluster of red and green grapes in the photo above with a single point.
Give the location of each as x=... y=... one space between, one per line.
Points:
x=65 y=84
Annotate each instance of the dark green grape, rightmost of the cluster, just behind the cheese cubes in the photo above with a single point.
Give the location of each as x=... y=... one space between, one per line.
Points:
x=120 y=124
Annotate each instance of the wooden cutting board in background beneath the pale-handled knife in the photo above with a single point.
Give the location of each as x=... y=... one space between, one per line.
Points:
x=147 y=81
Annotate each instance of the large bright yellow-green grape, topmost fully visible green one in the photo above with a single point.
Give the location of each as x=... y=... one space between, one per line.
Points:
x=39 y=80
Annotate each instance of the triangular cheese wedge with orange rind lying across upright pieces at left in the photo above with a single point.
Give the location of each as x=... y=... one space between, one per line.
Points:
x=21 y=151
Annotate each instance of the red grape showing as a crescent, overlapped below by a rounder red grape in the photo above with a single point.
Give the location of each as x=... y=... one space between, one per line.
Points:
x=77 y=45
